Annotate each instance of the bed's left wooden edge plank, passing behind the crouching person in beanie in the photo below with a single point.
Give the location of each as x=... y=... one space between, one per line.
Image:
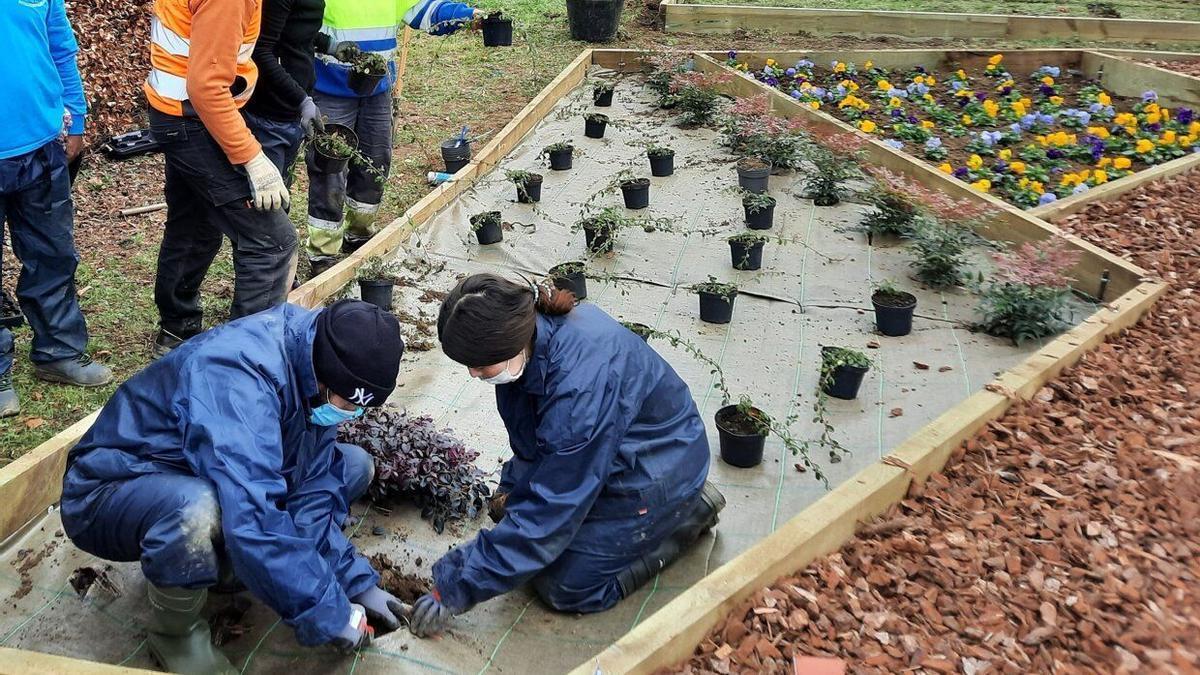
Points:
x=34 y=482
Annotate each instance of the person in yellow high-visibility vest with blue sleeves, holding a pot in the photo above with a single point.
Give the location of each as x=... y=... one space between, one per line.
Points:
x=371 y=27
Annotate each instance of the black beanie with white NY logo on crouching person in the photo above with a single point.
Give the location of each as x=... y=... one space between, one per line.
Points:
x=357 y=353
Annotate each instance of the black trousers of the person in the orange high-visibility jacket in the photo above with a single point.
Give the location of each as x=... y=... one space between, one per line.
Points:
x=208 y=199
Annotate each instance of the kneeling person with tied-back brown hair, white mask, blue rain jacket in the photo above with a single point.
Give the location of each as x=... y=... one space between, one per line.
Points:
x=608 y=481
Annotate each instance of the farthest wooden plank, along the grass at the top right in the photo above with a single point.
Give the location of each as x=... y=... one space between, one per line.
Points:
x=679 y=17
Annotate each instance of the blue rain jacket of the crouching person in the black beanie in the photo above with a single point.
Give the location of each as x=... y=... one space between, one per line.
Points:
x=232 y=405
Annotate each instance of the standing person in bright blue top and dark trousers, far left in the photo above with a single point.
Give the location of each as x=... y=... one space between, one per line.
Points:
x=44 y=109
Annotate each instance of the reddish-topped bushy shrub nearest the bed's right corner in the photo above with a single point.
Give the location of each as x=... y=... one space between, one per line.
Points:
x=1028 y=296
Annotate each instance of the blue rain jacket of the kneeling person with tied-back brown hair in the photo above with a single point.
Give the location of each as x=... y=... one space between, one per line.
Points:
x=604 y=434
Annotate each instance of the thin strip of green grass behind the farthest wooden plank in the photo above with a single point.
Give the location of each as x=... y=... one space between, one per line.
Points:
x=1178 y=10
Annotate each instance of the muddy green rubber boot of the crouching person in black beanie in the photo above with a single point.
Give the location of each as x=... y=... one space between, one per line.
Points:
x=178 y=637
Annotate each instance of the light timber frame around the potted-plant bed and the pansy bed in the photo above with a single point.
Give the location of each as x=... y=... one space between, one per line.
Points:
x=33 y=483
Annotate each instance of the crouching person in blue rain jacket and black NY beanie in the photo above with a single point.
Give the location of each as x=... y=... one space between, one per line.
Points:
x=219 y=463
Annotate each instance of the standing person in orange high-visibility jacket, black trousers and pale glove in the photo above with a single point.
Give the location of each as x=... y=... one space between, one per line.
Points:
x=219 y=181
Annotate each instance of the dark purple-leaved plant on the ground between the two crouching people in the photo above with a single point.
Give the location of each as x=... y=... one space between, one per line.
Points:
x=418 y=462
